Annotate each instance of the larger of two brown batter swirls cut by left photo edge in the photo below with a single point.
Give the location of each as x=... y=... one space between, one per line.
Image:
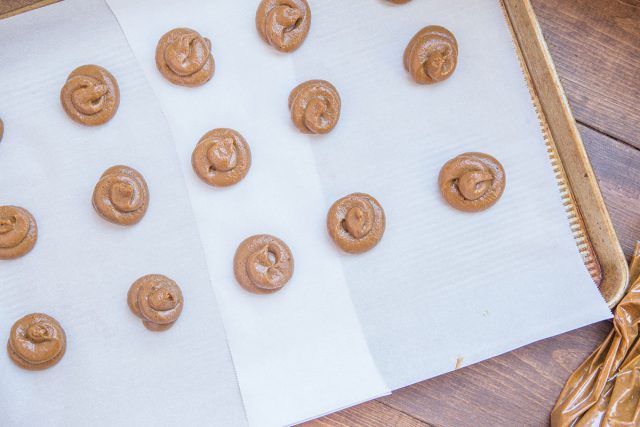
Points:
x=18 y=232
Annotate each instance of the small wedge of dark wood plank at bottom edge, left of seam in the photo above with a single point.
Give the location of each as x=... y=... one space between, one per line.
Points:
x=370 y=414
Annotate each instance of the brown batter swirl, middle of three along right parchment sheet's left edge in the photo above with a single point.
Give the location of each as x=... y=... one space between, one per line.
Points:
x=315 y=106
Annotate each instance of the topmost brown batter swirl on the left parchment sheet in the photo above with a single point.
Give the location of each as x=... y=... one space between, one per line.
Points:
x=90 y=96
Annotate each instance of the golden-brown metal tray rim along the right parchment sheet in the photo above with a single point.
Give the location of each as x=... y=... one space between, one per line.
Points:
x=577 y=182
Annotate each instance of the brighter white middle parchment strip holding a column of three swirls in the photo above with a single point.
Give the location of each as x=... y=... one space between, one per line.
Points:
x=299 y=352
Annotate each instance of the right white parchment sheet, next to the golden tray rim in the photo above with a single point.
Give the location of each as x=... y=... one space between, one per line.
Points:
x=443 y=284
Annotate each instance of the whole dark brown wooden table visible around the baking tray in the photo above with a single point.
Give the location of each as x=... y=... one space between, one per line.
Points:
x=596 y=48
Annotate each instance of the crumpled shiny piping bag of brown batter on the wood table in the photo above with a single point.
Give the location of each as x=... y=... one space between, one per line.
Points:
x=605 y=390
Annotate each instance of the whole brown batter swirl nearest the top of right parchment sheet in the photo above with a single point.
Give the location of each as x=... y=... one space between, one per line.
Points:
x=432 y=55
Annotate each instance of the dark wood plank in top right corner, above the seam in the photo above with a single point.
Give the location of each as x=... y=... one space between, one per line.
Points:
x=595 y=45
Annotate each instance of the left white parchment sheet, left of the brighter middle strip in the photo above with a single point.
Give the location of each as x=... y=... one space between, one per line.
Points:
x=115 y=372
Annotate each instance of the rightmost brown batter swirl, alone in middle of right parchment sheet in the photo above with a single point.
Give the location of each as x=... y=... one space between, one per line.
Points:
x=472 y=182
